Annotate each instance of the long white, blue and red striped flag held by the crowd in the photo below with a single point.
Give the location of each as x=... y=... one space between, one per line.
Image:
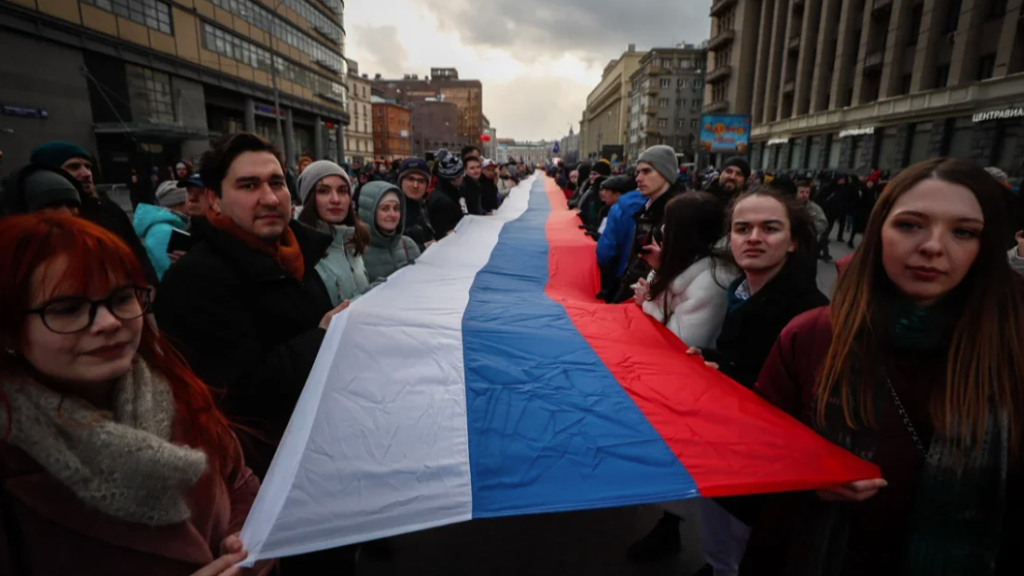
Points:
x=487 y=381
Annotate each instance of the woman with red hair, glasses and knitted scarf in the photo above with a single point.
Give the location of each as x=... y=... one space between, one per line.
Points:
x=114 y=459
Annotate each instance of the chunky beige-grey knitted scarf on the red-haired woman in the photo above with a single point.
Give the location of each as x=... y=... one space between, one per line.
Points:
x=122 y=464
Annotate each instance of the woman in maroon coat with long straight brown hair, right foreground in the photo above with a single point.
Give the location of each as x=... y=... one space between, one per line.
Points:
x=917 y=366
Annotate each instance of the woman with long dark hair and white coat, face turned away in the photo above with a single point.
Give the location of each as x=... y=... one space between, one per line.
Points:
x=687 y=290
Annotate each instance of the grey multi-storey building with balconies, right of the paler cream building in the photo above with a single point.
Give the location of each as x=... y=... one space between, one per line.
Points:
x=666 y=98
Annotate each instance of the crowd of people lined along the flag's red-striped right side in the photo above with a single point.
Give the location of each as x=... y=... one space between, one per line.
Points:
x=916 y=365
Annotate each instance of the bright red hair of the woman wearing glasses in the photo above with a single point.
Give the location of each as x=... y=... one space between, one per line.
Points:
x=98 y=262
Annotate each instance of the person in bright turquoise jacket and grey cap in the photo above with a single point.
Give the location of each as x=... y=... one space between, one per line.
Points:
x=155 y=225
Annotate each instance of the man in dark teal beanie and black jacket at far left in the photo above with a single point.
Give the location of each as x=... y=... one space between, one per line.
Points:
x=76 y=161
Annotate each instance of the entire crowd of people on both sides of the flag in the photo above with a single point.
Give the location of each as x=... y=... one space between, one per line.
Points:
x=151 y=364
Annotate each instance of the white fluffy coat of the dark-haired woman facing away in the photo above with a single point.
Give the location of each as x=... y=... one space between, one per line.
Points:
x=699 y=316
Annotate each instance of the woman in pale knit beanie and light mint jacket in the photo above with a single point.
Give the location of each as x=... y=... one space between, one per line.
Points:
x=327 y=205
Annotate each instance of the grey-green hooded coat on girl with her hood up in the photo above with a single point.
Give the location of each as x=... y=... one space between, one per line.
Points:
x=387 y=254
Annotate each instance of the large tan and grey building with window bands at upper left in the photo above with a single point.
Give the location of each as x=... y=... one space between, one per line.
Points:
x=145 y=84
